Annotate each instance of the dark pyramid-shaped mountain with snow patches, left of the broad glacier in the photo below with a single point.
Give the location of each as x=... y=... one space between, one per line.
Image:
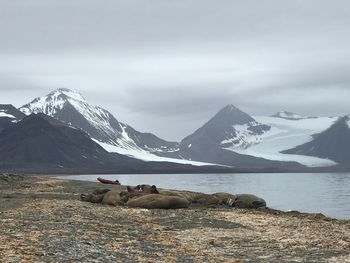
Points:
x=216 y=140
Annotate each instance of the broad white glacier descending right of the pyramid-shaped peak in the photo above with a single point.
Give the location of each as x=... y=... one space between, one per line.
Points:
x=286 y=134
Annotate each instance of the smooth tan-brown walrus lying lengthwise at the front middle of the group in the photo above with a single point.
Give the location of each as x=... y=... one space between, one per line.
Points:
x=158 y=201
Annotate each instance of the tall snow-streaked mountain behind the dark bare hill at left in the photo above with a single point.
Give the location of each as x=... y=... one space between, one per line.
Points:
x=72 y=108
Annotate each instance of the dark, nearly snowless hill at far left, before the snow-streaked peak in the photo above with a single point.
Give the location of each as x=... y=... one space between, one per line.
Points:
x=36 y=142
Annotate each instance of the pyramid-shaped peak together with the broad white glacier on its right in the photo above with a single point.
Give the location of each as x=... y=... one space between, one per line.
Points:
x=263 y=137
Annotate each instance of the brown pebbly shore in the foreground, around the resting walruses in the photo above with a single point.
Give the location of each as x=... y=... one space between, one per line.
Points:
x=43 y=220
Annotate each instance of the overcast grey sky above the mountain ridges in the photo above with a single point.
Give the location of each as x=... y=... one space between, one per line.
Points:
x=166 y=66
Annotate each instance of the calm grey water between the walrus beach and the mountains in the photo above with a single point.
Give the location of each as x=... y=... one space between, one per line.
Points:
x=327 y=193
